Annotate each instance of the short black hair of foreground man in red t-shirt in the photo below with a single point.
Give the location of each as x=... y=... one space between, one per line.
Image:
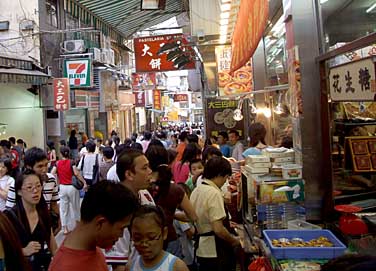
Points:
x=112 y=200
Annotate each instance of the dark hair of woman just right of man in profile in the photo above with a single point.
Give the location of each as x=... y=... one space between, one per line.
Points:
x=158 y=162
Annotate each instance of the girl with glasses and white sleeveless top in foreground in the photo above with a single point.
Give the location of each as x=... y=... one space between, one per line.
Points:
x=148 y=231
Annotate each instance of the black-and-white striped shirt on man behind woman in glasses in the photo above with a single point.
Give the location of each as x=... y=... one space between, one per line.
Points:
x=50 y=192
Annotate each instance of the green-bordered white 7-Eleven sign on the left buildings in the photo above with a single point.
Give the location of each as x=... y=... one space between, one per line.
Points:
x=78 y=71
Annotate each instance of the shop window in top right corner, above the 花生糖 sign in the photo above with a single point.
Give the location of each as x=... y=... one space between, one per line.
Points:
x=346 y=21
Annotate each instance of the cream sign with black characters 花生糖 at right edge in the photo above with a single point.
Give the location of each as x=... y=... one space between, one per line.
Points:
x=354 y=81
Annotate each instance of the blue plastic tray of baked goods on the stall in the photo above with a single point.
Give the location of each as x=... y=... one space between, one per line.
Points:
x=304 y=252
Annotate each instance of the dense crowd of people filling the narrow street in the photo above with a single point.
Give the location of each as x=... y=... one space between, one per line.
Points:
x=150 y=202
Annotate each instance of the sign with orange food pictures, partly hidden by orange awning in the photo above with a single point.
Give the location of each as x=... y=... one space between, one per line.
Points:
x=240 y=82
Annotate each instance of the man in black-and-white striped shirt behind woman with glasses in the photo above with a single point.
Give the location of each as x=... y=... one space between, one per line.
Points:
x=36 y=159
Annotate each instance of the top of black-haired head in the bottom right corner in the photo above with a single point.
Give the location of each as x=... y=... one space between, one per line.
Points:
x=351 y=262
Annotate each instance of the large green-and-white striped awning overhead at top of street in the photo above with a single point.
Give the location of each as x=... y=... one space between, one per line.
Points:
x=124 y=16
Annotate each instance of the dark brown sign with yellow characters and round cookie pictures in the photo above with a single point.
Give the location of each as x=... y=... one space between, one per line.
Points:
x=222 y=114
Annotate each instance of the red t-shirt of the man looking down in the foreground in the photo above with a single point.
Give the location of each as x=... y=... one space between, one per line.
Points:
x=67 y=259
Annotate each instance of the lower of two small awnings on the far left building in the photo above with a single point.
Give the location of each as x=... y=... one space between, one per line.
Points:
x=32 y=77
